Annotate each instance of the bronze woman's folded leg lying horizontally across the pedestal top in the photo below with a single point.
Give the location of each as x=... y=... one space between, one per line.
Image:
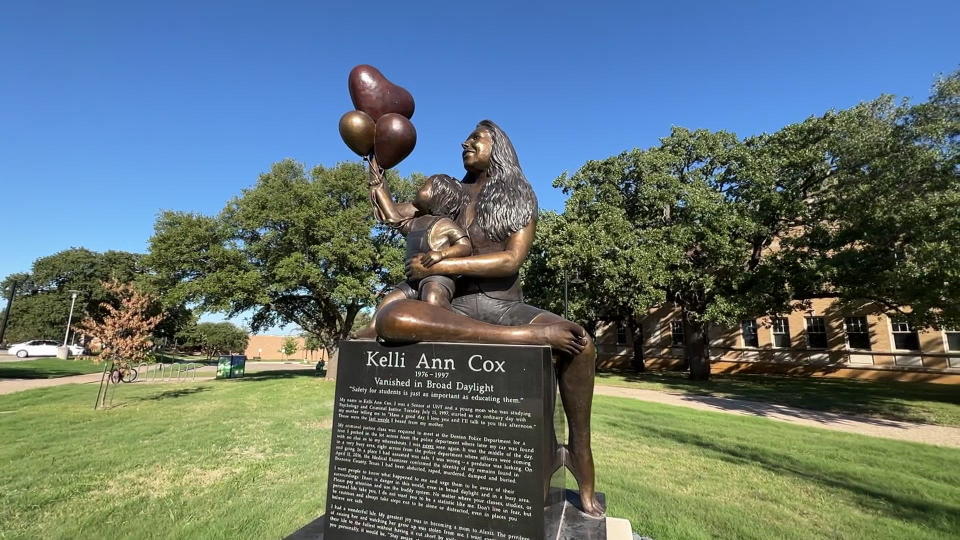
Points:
x=412 y=320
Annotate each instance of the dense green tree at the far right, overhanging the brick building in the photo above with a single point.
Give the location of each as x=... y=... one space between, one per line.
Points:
x=883 y=225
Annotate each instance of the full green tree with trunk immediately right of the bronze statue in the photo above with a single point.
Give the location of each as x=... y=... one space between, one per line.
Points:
x=684 y=222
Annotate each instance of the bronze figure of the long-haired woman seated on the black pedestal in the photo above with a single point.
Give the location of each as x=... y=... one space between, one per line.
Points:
x=500 y=219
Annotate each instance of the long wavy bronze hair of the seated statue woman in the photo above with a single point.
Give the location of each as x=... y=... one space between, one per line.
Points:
x=506 y=203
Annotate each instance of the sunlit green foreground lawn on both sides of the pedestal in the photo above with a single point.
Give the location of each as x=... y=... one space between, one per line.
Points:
x=247 y=458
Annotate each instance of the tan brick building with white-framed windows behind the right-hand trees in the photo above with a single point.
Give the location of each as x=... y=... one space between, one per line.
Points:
x=819 y=341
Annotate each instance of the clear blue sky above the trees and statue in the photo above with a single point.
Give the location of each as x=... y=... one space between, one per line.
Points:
x=113 y=111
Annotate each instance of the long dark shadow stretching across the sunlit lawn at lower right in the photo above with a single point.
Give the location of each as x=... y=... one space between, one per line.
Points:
x=873 y=495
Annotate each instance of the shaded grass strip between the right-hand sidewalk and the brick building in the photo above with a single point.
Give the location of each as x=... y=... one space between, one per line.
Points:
x=911 y=402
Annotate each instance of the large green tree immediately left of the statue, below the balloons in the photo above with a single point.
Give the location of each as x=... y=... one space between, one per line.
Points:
x=297 y=248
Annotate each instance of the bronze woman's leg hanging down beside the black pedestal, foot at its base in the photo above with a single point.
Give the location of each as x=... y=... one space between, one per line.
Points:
x=575 y=375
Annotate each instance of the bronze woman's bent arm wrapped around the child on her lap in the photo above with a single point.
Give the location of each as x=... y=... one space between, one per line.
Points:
x=497 y=264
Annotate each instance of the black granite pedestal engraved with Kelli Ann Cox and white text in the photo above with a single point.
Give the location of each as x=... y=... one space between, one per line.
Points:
x=448 y=440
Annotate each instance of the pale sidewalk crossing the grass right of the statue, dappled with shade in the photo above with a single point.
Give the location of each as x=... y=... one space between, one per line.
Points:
x=873 y=427
